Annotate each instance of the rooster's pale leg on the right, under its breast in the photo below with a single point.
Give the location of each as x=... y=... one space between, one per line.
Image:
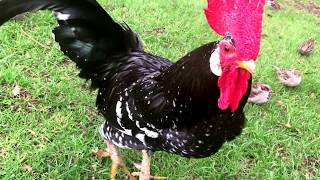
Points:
x=144 y=173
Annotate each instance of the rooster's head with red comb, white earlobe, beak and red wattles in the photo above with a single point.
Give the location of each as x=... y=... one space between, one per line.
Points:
x=233 y=60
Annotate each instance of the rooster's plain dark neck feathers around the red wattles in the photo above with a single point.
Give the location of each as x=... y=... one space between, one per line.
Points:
x=190 y=81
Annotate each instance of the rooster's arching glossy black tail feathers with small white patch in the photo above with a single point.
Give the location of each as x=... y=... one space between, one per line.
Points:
x=86 y=33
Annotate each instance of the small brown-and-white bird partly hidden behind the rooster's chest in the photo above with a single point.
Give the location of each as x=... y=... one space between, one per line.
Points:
x=260 y=93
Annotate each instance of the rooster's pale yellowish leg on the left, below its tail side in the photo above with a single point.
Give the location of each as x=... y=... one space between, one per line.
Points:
x=116 y=162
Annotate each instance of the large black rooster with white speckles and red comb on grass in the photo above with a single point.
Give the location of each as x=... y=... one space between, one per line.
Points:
x=189 y=108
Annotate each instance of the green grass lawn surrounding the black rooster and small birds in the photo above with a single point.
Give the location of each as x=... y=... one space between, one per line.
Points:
x=54 y=128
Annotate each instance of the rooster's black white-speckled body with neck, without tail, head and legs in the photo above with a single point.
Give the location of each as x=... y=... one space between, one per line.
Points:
x=156 y=105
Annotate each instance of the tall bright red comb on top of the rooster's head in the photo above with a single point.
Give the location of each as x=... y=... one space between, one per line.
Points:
x=241 y=18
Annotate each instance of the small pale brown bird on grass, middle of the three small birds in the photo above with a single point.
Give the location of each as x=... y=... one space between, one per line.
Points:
x=288 y=77
